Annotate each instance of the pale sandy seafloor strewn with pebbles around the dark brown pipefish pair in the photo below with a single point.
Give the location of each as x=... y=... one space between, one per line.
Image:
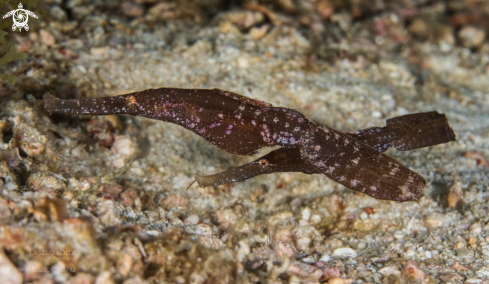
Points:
x=144 y=226
